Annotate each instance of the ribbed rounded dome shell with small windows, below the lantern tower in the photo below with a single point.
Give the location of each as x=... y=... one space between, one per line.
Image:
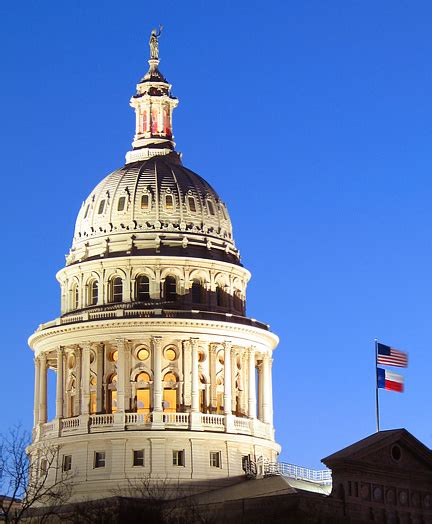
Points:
x=153 y=205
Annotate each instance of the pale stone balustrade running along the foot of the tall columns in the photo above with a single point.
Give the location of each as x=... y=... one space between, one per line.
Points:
x=153 y=421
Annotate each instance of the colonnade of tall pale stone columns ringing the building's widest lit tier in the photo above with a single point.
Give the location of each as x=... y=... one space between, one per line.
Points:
x=257 y=371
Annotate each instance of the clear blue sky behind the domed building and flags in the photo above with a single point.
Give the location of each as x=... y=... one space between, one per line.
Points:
x=313 y=120
